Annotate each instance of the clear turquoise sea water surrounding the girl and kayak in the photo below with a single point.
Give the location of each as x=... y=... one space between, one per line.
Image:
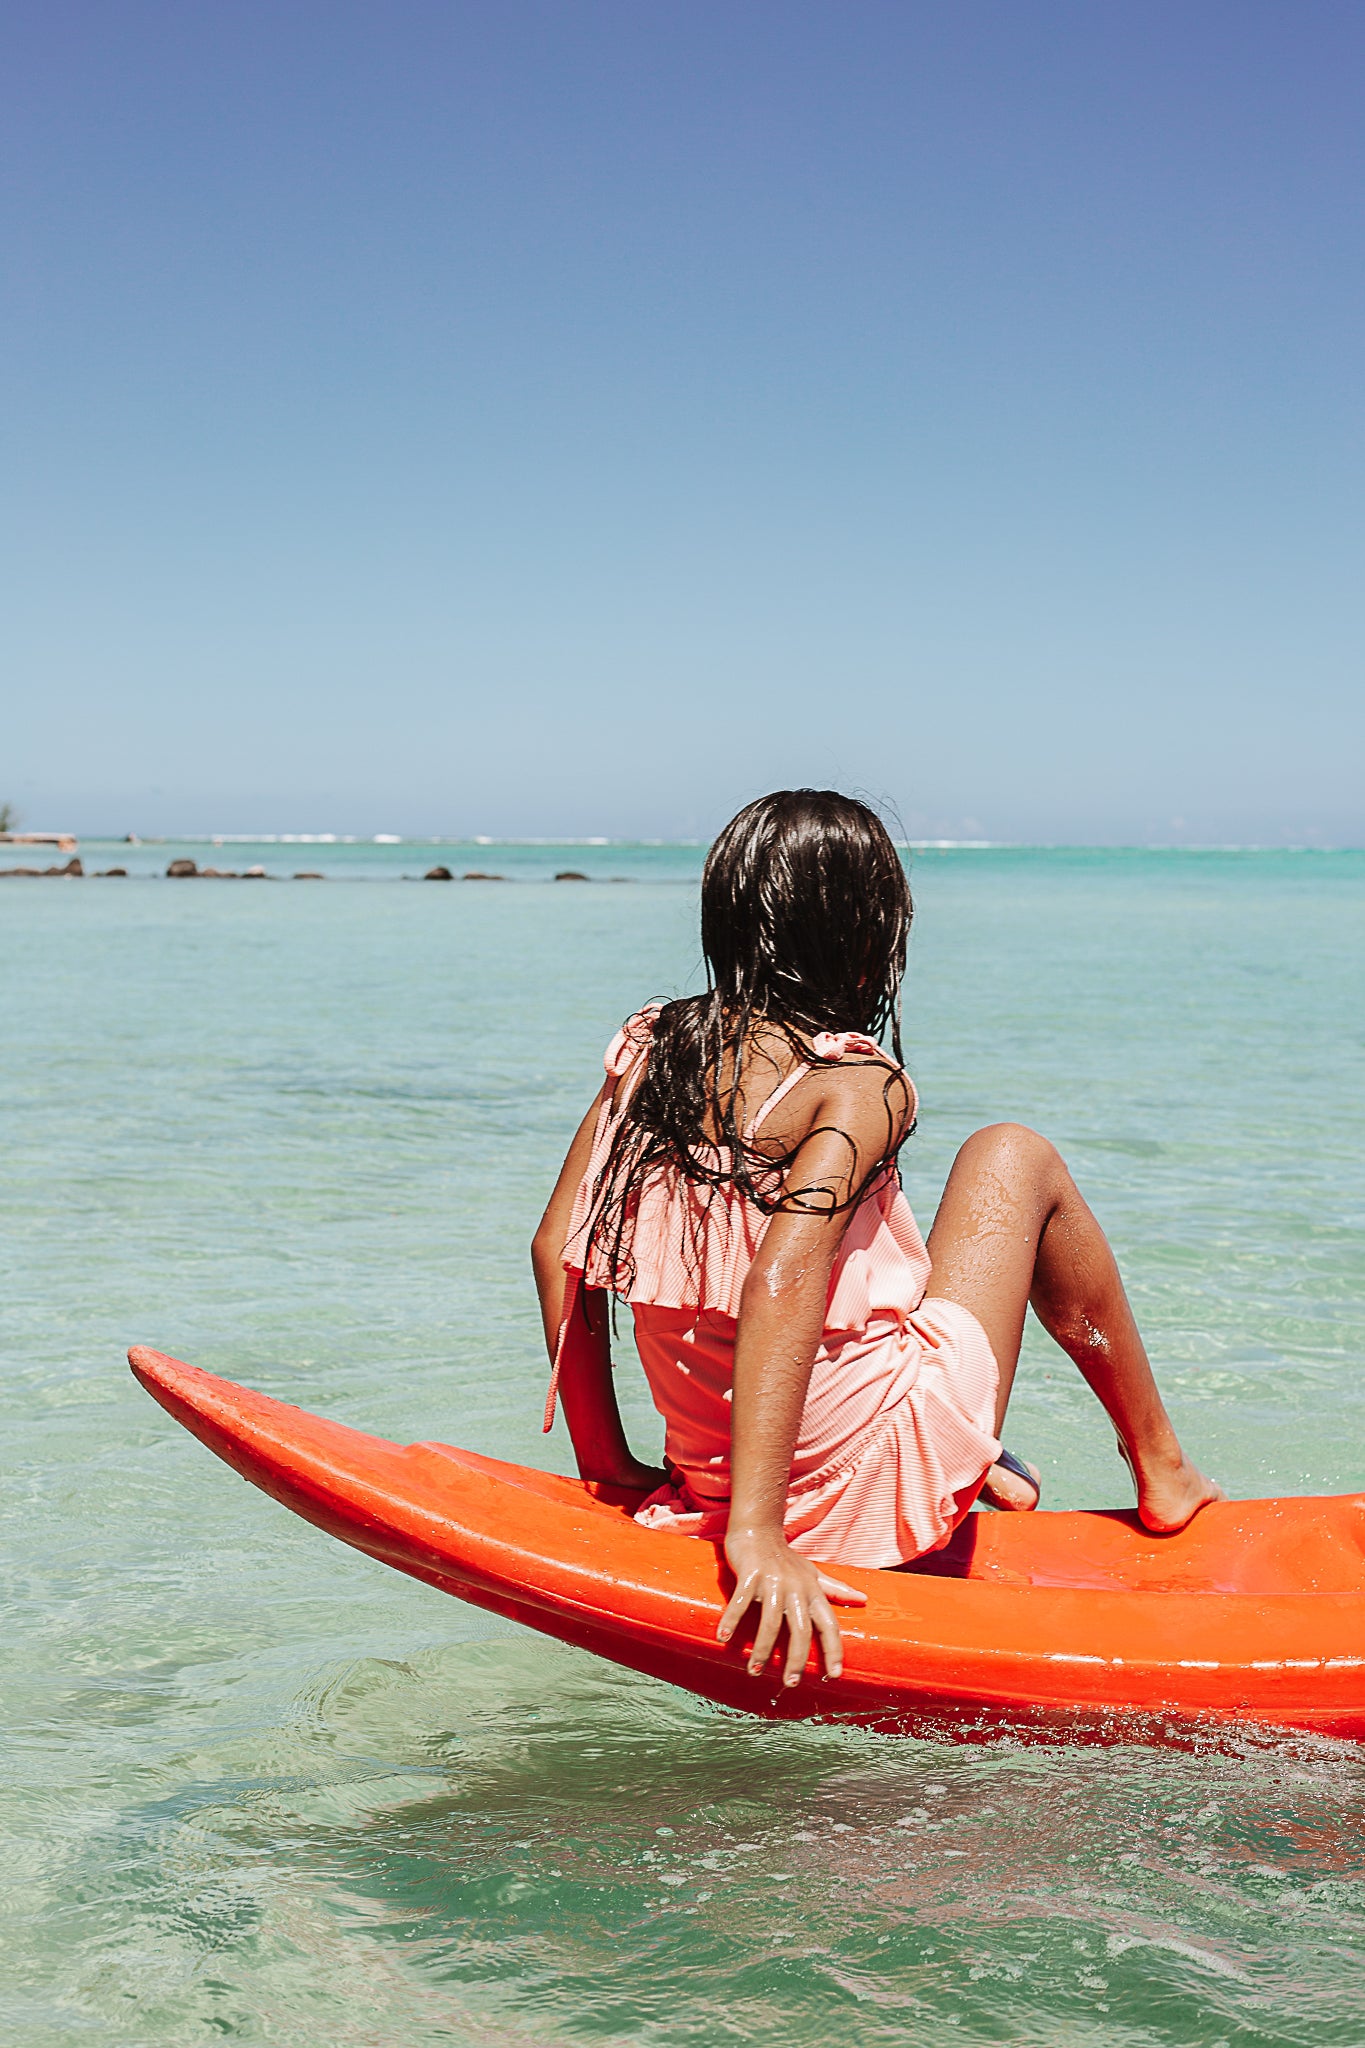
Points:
x=267 y=1791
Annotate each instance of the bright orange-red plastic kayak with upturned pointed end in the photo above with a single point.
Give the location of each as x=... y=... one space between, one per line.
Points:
x=1061 y=1623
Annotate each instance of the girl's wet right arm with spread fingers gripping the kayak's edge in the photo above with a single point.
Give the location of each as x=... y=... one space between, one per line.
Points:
x=781 y=1326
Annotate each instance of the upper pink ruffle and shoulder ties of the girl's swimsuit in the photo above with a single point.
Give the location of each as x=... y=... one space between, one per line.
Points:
x=693 y=1246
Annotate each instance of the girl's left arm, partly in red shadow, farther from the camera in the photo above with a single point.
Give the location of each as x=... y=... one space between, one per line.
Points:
x=586 y=1383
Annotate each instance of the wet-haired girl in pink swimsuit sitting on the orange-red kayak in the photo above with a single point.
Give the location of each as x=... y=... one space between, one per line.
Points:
x=832 y=1390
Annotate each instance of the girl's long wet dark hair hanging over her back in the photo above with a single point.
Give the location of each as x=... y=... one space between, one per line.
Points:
x=805 y=923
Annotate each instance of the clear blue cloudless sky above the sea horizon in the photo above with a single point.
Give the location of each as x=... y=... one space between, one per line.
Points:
x=562 y=417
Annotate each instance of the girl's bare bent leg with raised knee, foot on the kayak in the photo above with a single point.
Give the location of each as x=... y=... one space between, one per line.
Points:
x=1014 y=1230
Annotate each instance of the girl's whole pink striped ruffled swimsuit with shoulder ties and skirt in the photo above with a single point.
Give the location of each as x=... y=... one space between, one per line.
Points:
x=897 y=1426
